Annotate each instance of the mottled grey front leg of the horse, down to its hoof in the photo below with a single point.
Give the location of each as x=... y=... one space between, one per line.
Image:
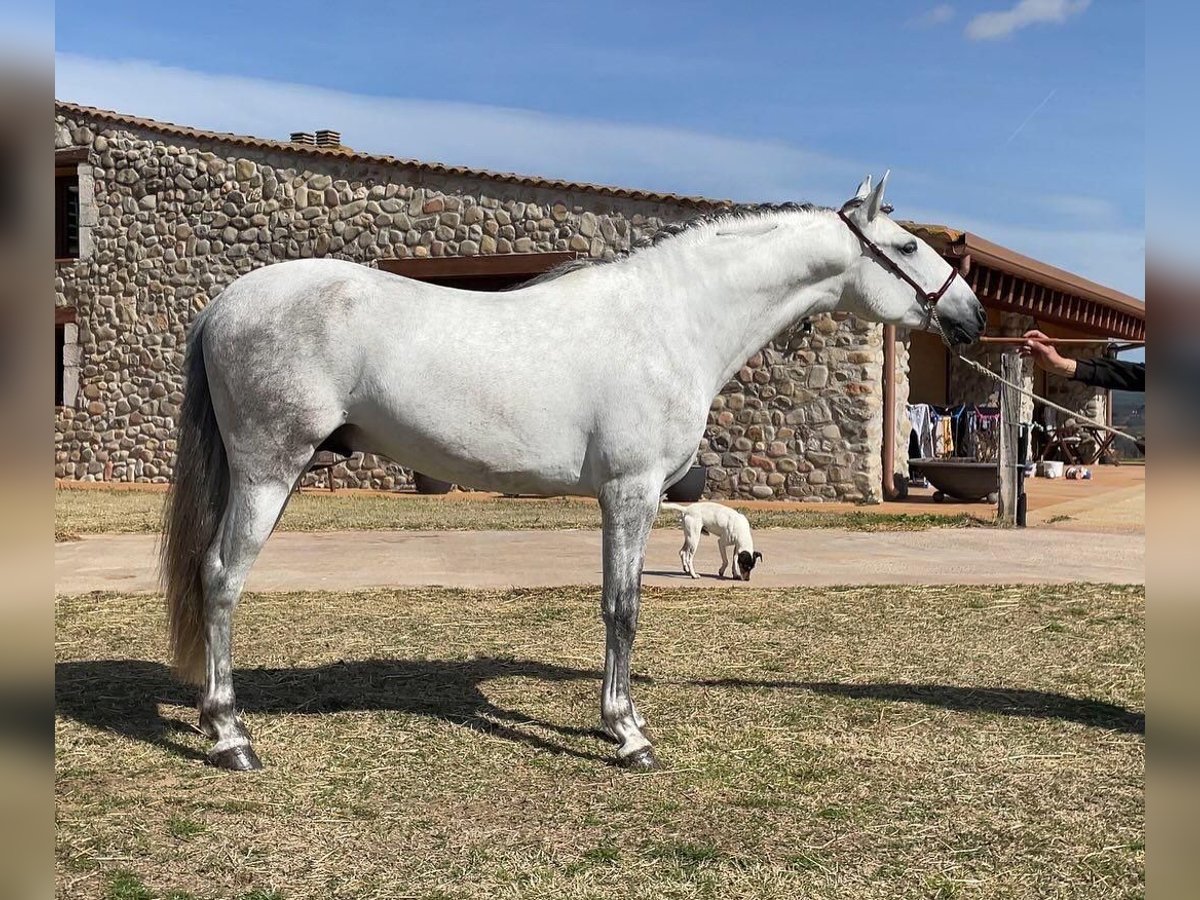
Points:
x=629 y=511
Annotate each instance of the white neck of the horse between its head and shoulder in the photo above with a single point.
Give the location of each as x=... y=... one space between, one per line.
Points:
x=739 y=292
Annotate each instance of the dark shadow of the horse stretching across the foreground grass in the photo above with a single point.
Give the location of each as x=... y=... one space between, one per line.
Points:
x=124 y=697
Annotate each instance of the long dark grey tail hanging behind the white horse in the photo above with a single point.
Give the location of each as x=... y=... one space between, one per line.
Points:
x=193 y=514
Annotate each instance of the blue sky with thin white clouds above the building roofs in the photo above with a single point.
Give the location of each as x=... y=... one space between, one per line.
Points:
x=1021 y=121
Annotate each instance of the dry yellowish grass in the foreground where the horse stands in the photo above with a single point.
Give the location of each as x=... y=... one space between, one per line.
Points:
x=908 y=742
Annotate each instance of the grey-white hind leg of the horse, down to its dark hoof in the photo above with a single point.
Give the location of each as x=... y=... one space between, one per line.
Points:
x=251 y=513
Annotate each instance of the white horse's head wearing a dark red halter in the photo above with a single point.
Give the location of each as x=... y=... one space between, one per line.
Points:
x=901 y=280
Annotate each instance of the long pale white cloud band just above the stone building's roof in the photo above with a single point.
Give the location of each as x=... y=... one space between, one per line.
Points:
x=506 y=140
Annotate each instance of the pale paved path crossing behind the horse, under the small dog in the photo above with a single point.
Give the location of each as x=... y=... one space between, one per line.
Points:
x=362 y=560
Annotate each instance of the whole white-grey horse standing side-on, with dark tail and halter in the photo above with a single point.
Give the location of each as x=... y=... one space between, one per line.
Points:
x=596 y=382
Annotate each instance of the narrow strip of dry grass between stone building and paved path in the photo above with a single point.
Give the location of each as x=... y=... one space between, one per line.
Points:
x=98 y=512
